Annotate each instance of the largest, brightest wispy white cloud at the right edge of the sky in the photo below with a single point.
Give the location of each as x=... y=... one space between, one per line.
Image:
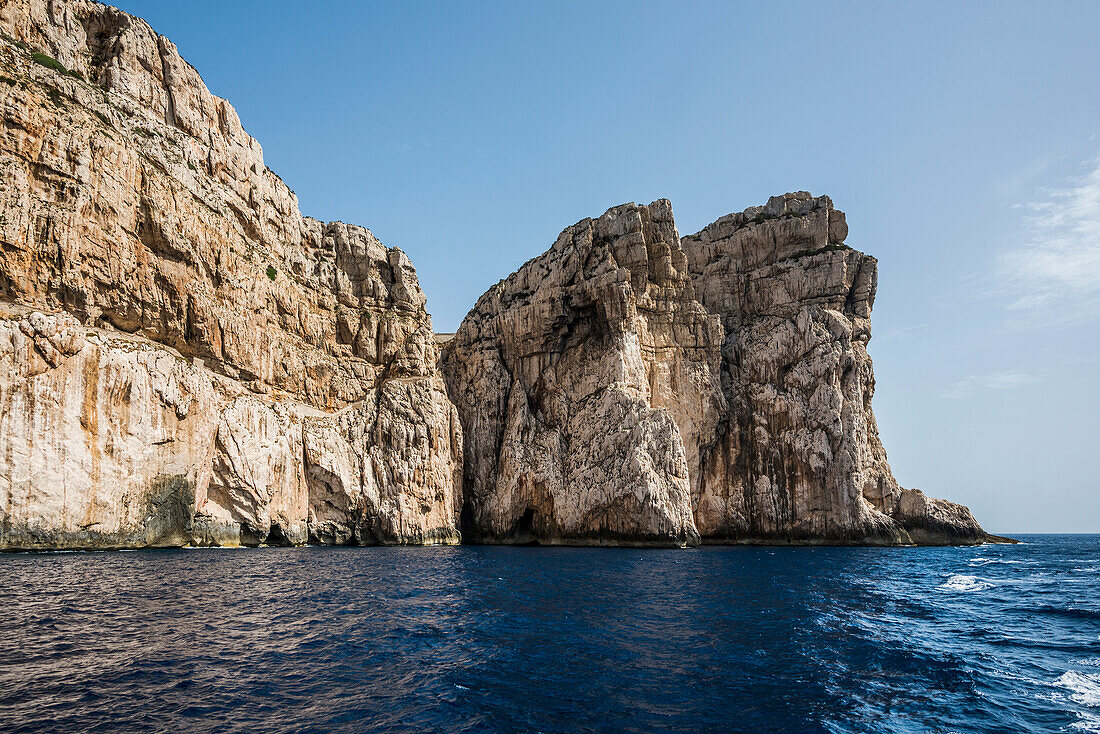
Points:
x=1058 y=270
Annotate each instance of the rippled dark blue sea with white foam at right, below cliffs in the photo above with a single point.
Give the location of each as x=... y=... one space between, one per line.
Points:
x=997 y=639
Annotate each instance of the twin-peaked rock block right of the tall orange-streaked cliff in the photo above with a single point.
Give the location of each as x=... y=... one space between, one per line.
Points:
x=630 y=387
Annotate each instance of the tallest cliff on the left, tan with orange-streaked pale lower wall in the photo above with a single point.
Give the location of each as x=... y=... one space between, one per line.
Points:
x=138 y=216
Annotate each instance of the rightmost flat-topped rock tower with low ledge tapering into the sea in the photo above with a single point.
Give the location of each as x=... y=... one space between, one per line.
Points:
x=799 y=455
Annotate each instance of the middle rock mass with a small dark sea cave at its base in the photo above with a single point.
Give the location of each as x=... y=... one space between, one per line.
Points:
x=579 y=379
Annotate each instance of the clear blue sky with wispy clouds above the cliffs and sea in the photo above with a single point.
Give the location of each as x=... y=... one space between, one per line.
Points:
x=961 y=139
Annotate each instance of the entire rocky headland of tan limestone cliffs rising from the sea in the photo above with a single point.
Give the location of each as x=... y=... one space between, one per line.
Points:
x=188 y=360
